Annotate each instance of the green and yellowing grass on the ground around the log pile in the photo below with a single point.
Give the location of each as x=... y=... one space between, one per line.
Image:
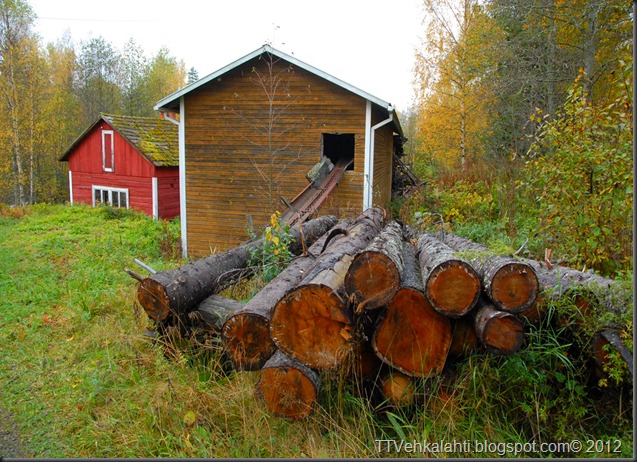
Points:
x=82 y=381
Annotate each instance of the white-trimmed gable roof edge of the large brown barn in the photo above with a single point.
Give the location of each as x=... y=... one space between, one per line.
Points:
x=171 y=102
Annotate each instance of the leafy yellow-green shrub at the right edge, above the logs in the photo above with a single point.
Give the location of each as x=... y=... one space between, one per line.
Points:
x=580 y=177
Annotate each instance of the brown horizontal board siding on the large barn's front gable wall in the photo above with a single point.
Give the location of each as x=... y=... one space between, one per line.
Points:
x=227 y=145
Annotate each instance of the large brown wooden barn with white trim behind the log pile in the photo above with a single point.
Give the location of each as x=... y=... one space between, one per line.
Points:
x=251 y=131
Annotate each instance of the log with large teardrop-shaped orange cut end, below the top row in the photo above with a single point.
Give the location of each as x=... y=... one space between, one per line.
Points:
x=412 y=337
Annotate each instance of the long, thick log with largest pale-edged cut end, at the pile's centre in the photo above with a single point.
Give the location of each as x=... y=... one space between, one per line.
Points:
x=313 y=322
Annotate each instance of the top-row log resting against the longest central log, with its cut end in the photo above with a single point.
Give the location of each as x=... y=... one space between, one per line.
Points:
x=374 y=276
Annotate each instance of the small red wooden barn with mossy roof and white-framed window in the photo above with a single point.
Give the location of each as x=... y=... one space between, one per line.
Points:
x=130 y=162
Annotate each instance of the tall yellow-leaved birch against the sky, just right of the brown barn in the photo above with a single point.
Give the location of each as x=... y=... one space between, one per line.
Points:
x=455 y=70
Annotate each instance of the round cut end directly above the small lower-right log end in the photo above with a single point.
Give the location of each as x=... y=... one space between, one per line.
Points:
x=514 y=287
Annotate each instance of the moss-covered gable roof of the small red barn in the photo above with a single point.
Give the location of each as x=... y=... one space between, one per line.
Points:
x=155 y=139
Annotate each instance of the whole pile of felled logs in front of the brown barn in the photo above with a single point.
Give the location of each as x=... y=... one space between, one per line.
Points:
x=374 y=299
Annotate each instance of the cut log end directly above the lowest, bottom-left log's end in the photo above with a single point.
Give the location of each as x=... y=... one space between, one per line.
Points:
x=246 y=341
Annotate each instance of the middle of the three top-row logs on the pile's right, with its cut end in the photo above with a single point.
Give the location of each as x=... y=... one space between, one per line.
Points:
x=452 y=286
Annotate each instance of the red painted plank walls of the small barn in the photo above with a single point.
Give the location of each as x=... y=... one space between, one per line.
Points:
x=130 y=170
